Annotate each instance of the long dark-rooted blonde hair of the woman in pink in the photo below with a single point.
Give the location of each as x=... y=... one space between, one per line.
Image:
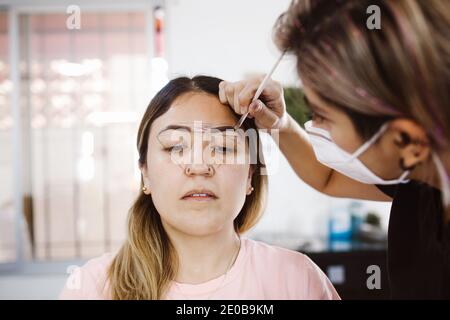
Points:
x=147 y=261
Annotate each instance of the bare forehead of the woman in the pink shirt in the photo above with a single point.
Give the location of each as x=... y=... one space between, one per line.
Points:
x=194 y=107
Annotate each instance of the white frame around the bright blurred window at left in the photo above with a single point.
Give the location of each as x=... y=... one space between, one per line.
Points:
x=14 y=9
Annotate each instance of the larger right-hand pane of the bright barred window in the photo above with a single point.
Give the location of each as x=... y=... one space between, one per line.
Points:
x=87 y=89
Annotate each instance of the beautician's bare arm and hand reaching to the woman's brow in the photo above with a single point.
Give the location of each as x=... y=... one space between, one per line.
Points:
x=293 y=140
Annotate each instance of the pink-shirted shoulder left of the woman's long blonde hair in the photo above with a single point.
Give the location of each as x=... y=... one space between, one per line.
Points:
x=88 y=281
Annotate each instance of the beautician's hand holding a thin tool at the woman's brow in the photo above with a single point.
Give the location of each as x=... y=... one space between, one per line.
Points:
x=269 y=110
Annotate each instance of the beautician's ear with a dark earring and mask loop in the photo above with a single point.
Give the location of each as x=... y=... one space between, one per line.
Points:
x=411 y=141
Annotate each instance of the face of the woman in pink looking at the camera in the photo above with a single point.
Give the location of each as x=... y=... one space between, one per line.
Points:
x=178 y=188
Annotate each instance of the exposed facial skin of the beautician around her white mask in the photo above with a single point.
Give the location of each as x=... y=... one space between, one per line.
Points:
x=382 y=158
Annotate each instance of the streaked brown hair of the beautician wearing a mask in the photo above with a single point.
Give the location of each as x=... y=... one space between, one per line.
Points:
x=400 y=70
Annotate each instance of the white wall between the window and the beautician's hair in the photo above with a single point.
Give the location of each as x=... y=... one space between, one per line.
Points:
x=230 y=39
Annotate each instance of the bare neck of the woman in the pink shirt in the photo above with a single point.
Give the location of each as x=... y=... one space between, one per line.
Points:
x=203 y=258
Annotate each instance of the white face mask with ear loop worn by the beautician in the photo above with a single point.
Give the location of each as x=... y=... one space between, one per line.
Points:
x=329 y=154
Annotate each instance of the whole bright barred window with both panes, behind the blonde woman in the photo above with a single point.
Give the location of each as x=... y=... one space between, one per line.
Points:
x=82 y=95
